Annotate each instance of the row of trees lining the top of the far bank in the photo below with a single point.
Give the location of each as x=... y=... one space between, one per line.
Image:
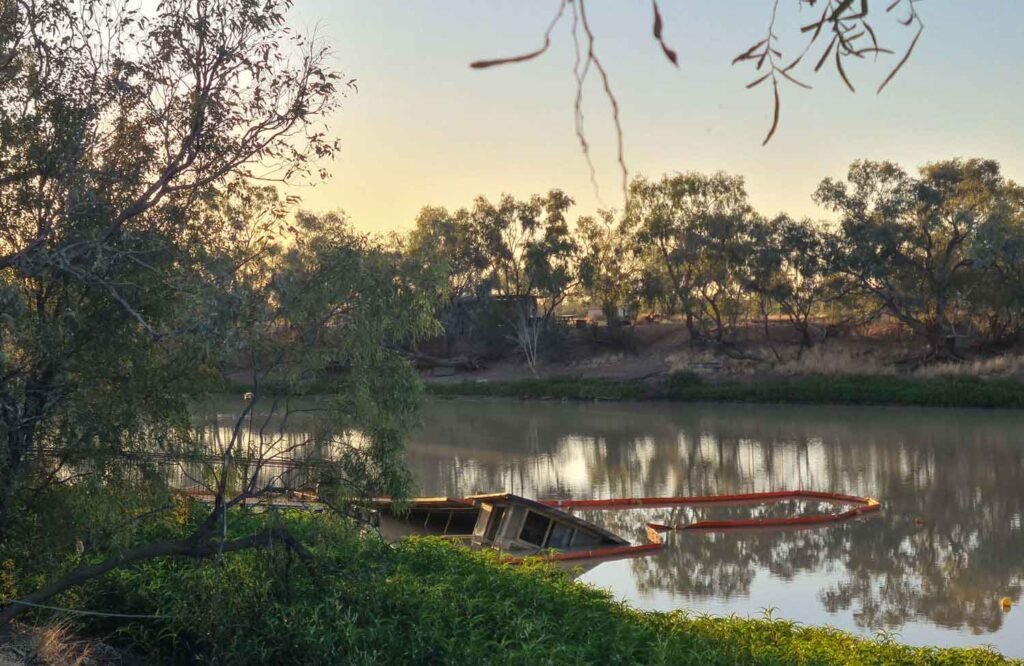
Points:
x=941 y=254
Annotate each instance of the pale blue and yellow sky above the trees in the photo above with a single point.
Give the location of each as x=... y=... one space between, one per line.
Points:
x=426 y=130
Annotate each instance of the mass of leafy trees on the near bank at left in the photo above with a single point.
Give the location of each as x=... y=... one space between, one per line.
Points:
x=139 y=260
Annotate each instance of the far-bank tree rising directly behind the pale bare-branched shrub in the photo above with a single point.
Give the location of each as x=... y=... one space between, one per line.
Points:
x=532 y=259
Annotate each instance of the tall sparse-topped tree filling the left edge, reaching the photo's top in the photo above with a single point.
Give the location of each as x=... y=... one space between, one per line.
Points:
x=118 y=128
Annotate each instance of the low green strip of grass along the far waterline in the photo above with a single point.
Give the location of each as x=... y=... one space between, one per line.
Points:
x=812 y=390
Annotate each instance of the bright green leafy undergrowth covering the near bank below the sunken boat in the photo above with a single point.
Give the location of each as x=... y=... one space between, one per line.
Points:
x=426 y=602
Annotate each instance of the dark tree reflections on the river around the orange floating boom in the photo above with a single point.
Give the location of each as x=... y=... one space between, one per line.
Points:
x=961 y=472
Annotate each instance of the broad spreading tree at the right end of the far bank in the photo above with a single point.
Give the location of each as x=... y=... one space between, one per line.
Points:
x=912 y=243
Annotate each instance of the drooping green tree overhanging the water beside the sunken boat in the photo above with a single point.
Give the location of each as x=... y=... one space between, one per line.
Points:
x=330 y=299
